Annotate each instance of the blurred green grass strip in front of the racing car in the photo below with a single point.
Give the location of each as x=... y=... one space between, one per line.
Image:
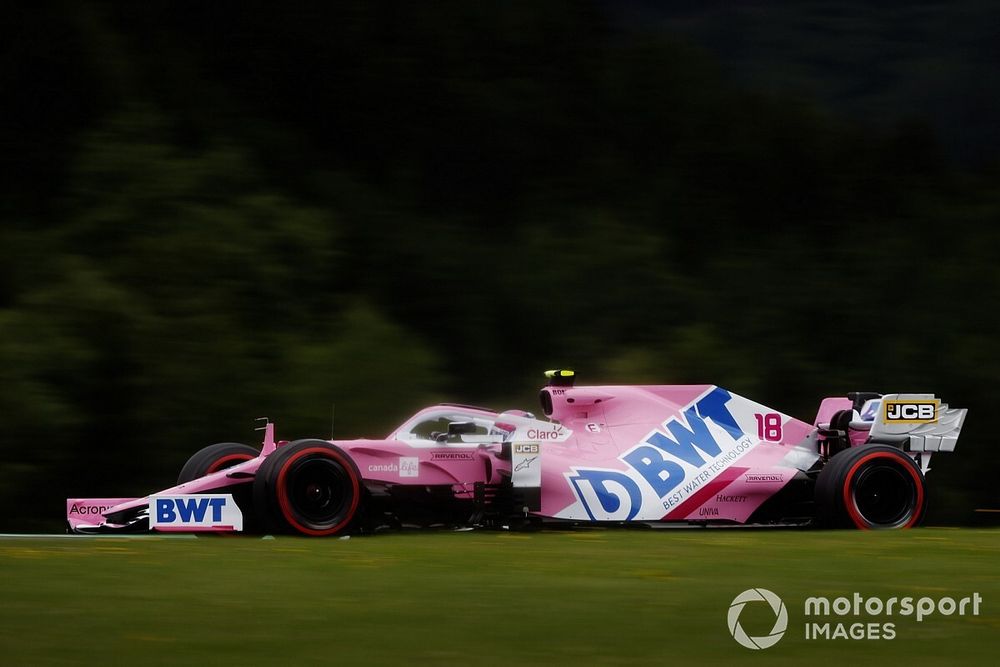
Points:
x=589 y=597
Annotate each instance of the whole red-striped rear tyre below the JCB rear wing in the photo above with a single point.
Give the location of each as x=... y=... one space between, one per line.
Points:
x=871 y=487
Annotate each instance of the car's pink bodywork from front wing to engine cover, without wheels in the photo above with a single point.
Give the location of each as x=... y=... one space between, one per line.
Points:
x=595 y=433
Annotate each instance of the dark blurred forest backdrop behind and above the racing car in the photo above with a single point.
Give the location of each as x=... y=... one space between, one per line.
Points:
x=211 y=212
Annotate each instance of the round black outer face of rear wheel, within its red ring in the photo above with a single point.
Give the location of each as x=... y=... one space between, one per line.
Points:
x=885 y=495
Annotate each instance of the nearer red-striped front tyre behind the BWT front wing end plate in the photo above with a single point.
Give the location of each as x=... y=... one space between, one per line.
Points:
x=309 y=487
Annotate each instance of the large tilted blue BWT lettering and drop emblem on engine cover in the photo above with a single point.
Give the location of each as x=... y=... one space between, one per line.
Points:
x=657 y=460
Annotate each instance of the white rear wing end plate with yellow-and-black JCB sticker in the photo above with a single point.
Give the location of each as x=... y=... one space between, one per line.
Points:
x=917 y=422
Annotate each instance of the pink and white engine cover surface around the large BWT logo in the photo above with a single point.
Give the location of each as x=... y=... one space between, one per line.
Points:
x=628 y=417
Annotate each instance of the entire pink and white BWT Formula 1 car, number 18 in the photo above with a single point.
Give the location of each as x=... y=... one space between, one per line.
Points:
x=685 y=454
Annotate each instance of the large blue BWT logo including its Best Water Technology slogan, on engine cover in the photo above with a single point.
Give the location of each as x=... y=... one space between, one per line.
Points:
x=683 y=450
